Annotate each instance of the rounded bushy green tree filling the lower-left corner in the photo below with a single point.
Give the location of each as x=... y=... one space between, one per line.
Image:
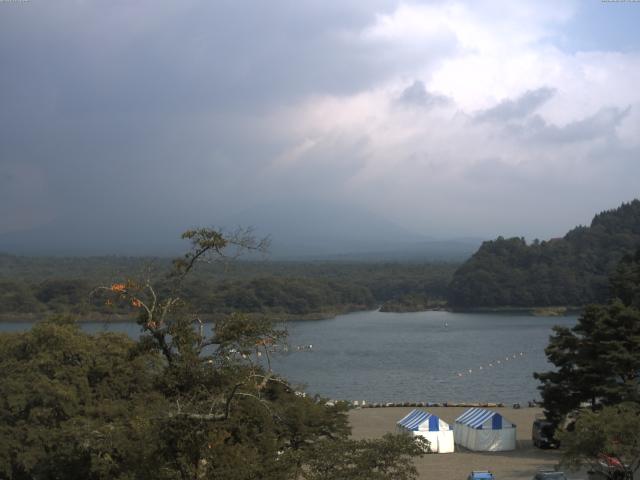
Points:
x=73 y=406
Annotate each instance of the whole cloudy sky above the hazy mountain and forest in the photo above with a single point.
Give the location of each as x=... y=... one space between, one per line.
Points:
x=122 y=123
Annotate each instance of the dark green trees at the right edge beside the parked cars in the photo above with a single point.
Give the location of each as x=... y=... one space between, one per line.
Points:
x=598 y=361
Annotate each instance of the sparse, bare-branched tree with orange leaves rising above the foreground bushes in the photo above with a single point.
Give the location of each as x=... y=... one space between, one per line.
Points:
x=235 y=343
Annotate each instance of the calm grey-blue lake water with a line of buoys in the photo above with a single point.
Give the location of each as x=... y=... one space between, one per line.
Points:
x=425 y=356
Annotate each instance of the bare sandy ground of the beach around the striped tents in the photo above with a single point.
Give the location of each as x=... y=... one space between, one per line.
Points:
x=521 y=463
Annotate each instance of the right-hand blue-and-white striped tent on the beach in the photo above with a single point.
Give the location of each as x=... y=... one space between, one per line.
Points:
x=484 y=431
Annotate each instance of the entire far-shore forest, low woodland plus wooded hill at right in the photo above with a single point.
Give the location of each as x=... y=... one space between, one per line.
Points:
x=571 y=271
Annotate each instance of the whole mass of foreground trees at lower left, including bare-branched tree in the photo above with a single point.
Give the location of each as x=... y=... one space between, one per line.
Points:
x=178 y=403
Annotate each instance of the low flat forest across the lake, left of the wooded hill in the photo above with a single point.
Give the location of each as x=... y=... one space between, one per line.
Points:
x=42 y=286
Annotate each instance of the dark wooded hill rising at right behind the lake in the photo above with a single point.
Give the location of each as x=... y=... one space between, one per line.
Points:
x=570 y=271
